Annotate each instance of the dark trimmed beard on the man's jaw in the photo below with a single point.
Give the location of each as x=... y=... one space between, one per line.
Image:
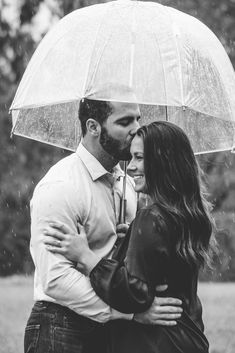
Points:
x=113 y=146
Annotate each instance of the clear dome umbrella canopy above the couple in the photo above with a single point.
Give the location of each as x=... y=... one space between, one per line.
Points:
x=175 y=66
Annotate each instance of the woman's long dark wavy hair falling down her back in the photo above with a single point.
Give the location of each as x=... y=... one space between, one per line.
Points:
x=173 y=182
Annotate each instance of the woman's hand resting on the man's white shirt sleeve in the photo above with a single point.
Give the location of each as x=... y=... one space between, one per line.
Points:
x=60 y=239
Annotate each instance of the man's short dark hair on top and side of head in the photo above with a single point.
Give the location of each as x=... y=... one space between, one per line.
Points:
x=93 y=109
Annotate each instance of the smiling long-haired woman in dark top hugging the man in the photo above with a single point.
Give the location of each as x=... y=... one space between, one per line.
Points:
x=167 y=242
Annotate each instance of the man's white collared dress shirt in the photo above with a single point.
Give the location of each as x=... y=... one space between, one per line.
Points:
x=77 y=190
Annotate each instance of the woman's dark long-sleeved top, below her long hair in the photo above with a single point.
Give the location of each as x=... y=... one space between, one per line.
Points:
x=145 y=259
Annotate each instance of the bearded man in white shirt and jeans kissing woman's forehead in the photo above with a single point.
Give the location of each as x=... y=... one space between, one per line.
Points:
x=84 y=188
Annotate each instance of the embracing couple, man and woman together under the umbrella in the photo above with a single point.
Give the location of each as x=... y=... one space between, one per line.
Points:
x=94 y=294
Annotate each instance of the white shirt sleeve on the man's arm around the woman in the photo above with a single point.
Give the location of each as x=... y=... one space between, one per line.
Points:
x=55 y=276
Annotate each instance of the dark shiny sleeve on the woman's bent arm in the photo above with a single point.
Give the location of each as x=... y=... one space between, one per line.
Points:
x=128 y=285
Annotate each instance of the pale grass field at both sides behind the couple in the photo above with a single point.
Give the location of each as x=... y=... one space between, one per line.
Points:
x=16 y=295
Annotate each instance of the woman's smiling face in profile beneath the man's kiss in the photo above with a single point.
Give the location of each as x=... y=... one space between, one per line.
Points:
x=136 y=165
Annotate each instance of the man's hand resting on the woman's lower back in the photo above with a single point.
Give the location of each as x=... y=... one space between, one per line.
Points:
x=164 y=311
